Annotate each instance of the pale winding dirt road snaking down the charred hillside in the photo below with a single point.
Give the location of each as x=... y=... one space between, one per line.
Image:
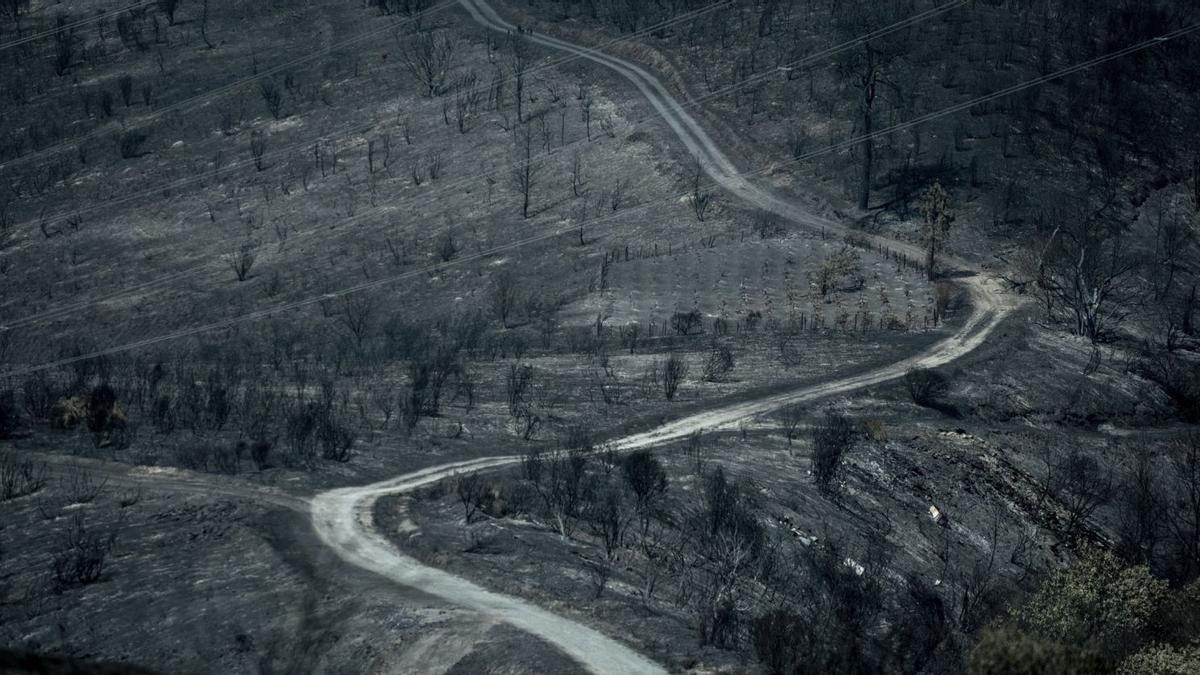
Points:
x=344 y=518
